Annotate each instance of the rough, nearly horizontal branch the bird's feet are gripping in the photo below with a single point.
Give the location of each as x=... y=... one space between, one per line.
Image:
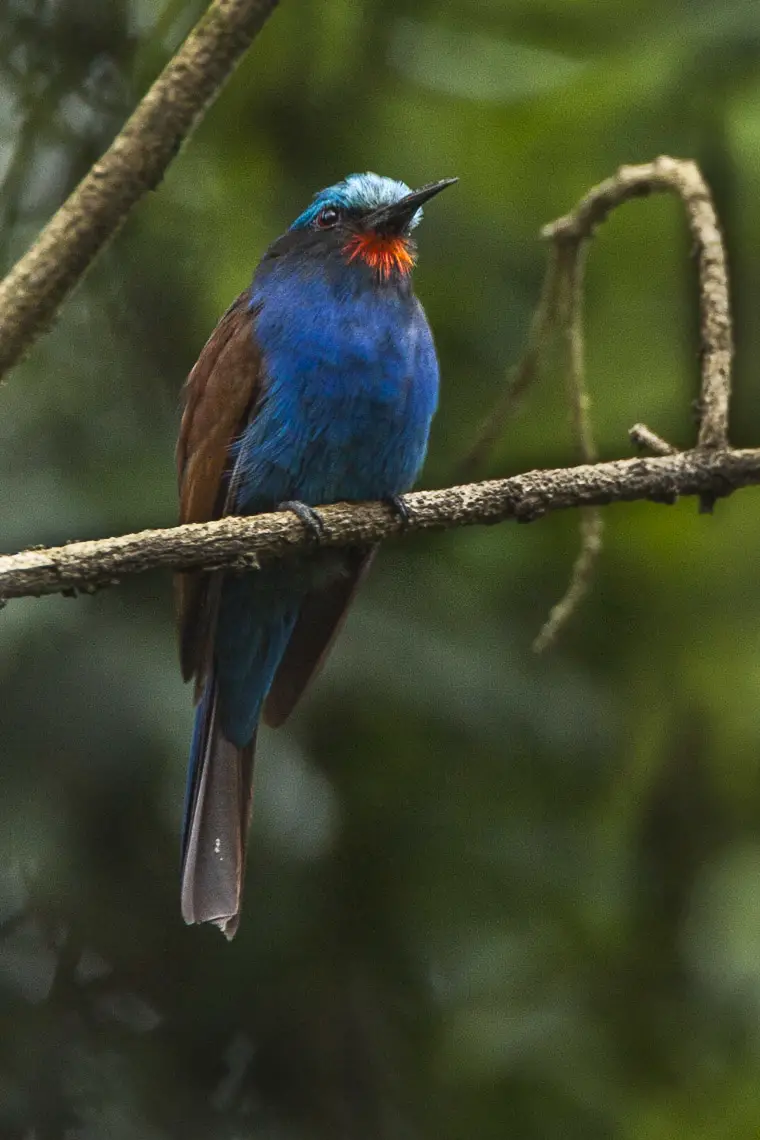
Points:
x=248 y=543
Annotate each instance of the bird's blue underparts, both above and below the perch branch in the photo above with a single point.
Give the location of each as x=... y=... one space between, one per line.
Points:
x=350 y=389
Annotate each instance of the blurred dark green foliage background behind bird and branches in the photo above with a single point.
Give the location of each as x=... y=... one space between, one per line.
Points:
x=489 y=895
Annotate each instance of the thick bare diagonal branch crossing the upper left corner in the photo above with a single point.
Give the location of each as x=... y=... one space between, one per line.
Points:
x=135 y=164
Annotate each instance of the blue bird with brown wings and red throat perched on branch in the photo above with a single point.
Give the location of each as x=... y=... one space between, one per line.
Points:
x=318 y=386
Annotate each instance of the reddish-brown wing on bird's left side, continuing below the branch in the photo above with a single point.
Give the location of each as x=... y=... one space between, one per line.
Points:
x=218 y=398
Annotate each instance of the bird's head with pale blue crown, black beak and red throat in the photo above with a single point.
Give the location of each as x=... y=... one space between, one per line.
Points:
x=370 y=221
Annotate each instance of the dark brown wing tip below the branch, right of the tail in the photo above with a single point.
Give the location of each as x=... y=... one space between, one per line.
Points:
x=321 y=620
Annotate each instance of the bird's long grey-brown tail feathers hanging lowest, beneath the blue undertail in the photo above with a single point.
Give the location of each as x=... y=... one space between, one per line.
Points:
x=217 y=815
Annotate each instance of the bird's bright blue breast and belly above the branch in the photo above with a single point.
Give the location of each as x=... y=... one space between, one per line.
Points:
x=350 y=387
